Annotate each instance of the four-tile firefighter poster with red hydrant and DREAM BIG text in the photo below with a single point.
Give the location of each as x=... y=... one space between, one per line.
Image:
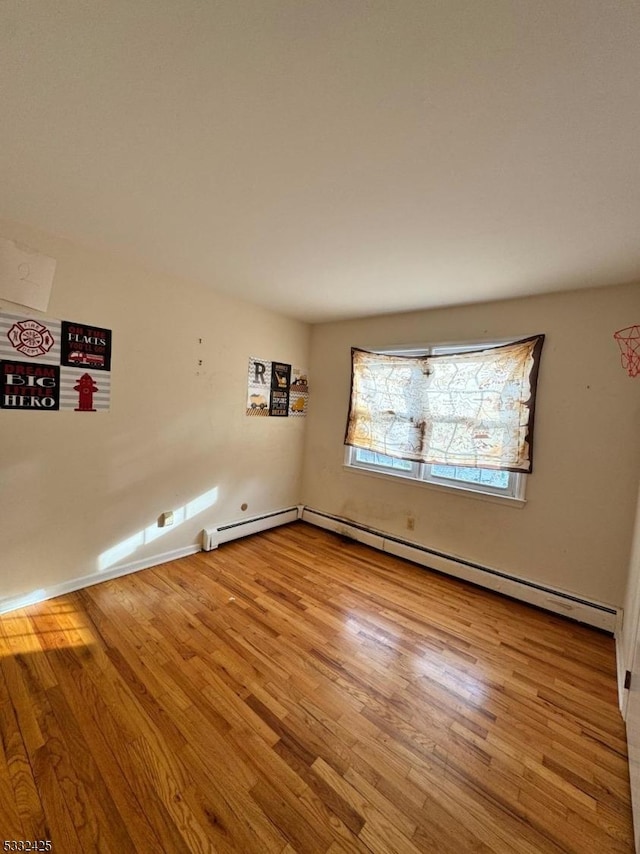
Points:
x=48 y=364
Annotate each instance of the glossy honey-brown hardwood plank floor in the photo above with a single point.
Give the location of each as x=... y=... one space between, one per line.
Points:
x=293 y=692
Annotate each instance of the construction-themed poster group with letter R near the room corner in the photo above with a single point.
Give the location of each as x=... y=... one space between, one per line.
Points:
x=276 y=389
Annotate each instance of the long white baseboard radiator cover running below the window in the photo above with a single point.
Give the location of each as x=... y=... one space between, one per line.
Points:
x=595 y=614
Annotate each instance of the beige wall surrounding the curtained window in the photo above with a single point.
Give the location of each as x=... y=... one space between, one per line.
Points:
x=575 y=531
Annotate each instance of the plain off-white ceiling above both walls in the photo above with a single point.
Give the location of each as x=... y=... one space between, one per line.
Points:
x=332 y=158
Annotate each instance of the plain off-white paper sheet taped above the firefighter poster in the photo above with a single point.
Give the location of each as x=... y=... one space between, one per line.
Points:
x=26 y=276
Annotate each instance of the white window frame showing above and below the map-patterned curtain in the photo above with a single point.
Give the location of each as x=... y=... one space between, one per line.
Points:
x=421 y=473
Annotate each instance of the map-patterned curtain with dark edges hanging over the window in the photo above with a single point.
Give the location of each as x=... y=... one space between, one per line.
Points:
x=472 y=408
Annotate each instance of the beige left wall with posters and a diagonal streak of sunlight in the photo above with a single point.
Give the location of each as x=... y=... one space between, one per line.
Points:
x=77 y=491
